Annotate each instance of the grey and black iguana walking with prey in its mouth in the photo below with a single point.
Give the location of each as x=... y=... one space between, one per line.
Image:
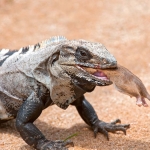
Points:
x=51 y=72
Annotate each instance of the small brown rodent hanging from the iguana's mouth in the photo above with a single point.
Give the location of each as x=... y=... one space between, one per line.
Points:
x=128 y=83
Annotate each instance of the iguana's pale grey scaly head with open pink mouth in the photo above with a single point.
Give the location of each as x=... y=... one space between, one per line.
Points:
x=77 y=57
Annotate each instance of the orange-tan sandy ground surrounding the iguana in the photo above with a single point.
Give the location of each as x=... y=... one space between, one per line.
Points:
x=123 y=27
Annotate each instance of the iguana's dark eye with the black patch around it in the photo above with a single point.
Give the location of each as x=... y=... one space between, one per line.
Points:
x=83 y=54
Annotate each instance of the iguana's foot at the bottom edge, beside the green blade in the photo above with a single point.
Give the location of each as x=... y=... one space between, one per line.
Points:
x=55 y=145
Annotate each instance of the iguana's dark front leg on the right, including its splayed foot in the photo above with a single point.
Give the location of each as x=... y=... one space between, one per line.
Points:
x=89 y=115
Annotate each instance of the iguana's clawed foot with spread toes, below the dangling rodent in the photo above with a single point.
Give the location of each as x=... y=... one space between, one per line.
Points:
x=104 y=127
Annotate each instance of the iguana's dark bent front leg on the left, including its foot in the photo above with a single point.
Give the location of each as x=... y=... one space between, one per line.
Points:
x=28 y=113
